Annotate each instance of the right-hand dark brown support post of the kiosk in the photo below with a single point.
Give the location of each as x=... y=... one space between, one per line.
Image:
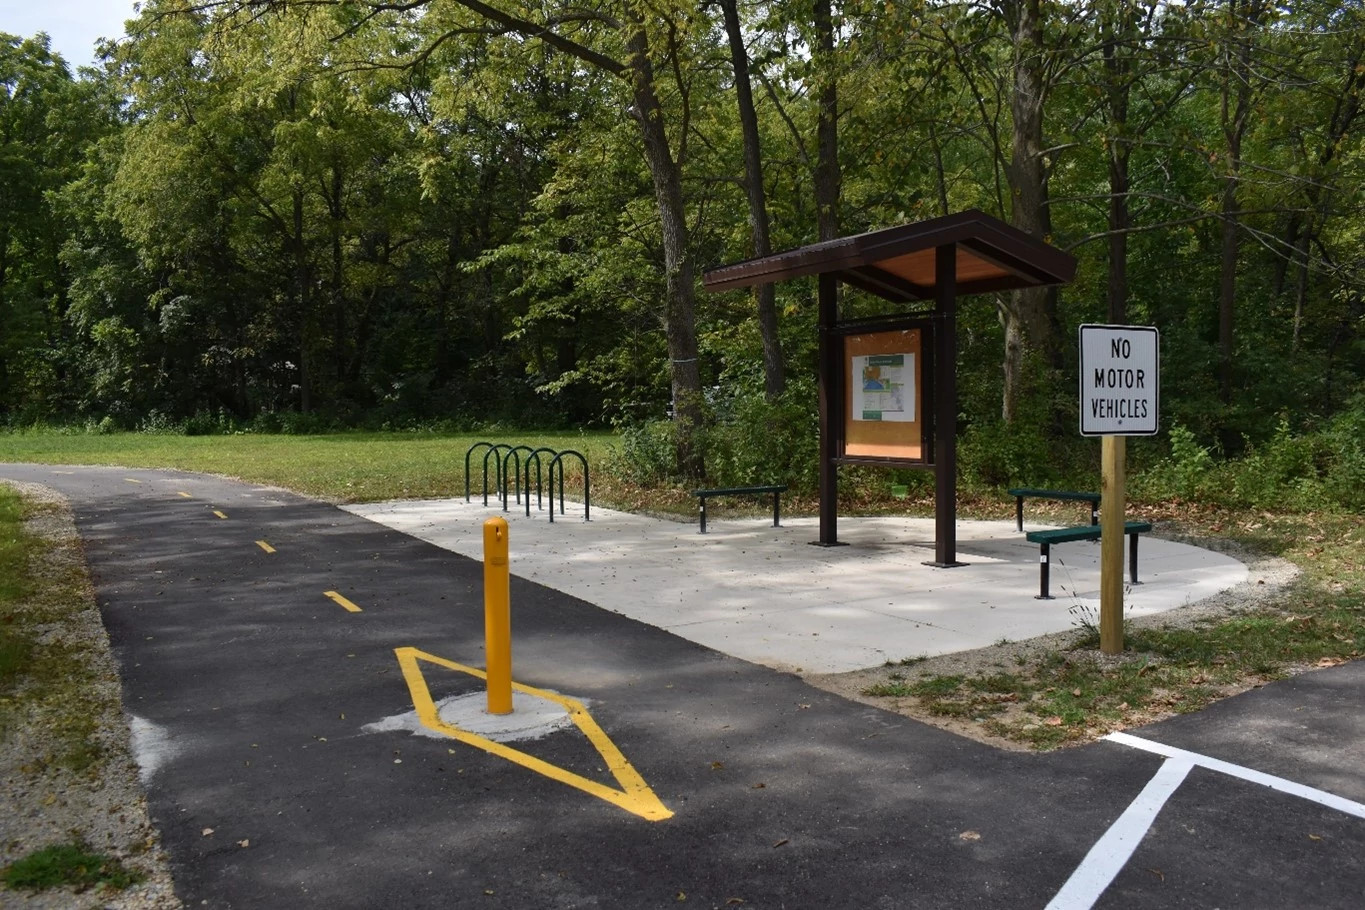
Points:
x=945 y=409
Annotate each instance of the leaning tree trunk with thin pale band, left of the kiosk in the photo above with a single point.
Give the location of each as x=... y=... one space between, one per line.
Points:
x=680 y=284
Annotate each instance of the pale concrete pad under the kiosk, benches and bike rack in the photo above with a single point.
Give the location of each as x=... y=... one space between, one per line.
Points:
x=765 y=596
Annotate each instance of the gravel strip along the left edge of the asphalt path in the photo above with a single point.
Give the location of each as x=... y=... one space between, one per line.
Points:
x=42 y=802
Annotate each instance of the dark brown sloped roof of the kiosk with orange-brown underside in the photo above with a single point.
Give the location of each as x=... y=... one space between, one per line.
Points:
x=900 y=264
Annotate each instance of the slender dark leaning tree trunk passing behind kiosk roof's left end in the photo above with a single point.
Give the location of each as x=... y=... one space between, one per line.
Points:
x=775 y=372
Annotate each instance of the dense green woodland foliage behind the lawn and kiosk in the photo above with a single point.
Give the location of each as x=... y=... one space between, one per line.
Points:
x=240 y=226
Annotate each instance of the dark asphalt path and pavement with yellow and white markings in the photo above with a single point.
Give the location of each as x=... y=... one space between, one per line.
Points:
x=289 y=765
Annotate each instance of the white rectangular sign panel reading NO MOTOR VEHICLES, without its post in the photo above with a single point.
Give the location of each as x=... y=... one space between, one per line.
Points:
x=1120 y=381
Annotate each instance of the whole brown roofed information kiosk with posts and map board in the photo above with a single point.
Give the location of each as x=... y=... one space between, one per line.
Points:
x=888 y=385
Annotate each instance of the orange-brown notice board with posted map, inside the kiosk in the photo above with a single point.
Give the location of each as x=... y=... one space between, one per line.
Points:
x=884 y=395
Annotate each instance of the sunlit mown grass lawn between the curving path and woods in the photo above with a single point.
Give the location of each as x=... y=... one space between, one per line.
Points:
x=346 y=467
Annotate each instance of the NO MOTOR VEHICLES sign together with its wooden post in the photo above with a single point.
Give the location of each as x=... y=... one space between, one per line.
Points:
x=1120 y=396
